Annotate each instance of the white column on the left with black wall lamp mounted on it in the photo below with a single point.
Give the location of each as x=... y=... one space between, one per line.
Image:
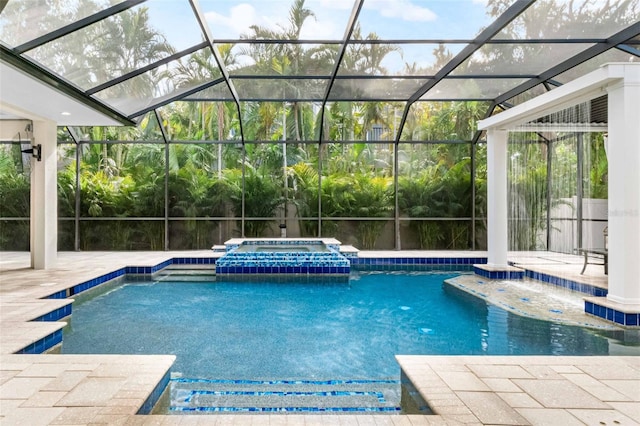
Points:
x=44 y=198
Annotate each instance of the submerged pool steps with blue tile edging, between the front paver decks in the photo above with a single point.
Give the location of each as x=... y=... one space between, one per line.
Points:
x=268 y=396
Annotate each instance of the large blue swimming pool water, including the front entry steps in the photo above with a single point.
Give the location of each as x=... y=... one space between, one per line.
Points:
x=320 y=335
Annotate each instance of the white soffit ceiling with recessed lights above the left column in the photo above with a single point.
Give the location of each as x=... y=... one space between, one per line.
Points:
x=23 y=97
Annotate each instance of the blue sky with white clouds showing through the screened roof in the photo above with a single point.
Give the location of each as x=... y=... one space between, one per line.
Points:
x=389 y=19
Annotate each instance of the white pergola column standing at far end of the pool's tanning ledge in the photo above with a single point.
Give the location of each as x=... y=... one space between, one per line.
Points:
x=497 y=238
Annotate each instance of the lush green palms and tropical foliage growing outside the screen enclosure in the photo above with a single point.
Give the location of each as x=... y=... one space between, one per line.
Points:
x=125 y=181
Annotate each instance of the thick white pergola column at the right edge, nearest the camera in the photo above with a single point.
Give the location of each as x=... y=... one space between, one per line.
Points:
x=624 y=188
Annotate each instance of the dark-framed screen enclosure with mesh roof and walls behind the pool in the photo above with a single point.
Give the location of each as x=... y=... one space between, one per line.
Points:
x=178 y=124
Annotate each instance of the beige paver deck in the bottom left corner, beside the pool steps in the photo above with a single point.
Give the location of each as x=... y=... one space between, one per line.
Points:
x=76 y=389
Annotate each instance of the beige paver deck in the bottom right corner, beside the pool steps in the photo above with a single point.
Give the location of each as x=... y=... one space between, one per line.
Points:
x=511 y=389
